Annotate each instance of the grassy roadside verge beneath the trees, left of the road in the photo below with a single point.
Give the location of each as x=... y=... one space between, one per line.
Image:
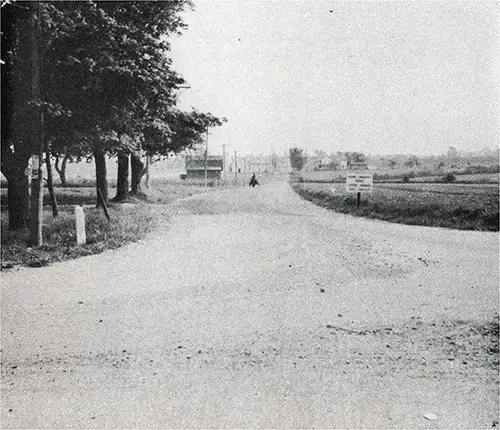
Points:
x=130 y=222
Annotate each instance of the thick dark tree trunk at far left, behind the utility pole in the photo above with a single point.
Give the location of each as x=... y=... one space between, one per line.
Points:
x=18 y=198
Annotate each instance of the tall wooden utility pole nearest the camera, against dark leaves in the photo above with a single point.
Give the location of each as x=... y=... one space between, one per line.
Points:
x=37 y=138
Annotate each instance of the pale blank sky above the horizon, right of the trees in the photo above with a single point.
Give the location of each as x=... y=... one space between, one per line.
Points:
x=376 y=77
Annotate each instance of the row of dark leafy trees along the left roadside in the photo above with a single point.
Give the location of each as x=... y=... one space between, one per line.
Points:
x=91 y=79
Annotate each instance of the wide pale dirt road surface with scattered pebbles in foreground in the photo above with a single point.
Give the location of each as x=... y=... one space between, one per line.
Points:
x=258 y=309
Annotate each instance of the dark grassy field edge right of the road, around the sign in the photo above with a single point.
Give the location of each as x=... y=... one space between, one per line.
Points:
x=464 y=208
